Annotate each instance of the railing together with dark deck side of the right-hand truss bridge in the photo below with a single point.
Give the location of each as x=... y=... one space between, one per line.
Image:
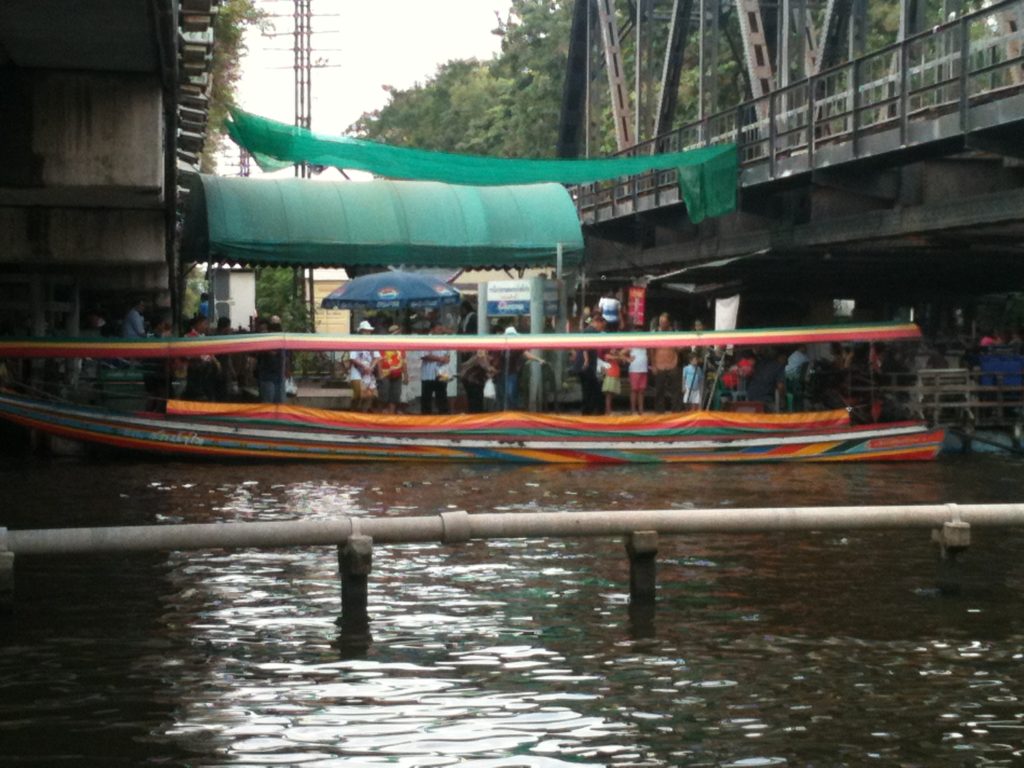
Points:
x=899 y=176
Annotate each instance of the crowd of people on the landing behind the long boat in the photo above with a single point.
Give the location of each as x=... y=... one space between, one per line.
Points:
x=637 y=378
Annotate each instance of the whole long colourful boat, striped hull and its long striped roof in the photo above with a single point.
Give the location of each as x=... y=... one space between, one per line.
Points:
x=263 y=432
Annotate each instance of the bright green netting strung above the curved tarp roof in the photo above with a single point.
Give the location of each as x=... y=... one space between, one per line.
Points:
x=707 y=177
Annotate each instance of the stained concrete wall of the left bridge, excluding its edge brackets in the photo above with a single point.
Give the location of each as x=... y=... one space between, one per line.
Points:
x=82 y=160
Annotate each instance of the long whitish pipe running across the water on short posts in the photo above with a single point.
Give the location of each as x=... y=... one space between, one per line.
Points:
x=459 y=527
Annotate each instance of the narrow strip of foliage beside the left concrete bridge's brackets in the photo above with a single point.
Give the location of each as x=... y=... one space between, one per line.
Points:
x=233 y=19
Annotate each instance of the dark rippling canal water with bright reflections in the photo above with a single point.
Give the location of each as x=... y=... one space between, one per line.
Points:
x=797 y=650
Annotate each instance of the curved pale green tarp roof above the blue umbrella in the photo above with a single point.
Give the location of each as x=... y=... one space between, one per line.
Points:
x=303 y=223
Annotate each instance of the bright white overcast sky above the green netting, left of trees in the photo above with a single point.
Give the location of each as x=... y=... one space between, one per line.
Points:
x=367 y=46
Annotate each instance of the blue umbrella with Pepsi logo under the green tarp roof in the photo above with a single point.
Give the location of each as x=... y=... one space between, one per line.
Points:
x=393 y=290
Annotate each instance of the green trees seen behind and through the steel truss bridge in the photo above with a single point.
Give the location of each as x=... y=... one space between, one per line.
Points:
x=510 y=107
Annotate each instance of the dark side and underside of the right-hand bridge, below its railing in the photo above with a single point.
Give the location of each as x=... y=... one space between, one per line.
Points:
x=948 y=227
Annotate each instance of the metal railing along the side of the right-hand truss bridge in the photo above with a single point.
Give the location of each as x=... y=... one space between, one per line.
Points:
x=884 y=102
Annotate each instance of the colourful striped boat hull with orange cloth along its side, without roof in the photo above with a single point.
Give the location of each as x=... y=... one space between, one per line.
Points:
x=285 y=433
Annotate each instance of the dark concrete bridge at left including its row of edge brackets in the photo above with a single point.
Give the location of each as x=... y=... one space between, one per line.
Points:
x=100 y=102
